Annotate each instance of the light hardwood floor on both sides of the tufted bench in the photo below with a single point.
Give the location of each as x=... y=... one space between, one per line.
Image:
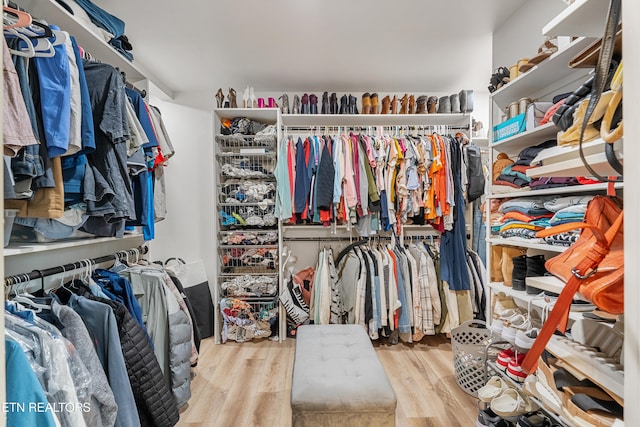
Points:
x=248 y=384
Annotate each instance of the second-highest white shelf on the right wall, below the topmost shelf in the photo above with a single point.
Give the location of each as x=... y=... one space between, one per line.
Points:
x=545 y=79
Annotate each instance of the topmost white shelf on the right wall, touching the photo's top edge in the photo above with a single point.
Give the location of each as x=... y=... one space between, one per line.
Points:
x=581 y=18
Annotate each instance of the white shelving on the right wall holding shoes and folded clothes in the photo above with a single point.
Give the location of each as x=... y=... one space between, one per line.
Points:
x=583 y=19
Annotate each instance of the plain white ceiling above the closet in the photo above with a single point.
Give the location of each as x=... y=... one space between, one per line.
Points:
x=299 y=45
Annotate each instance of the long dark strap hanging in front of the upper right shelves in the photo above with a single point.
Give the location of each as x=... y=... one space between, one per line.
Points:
x=602 y=70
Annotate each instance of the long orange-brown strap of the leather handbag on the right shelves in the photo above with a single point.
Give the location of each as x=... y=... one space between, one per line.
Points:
x=560 y=314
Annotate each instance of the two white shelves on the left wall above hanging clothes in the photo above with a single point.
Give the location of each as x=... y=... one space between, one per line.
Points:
x=21 y=257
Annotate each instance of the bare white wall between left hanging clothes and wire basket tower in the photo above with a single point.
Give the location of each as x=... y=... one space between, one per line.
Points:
x=187 y=232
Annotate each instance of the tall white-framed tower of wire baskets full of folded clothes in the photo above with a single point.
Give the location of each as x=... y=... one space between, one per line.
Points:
x=243 y=165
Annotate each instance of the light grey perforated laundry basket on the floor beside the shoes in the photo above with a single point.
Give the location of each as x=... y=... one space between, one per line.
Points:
x=468 y=343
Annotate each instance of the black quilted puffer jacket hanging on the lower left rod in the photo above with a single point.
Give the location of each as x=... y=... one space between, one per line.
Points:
x=156 y=405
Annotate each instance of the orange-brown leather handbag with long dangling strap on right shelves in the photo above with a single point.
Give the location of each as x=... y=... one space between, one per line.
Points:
x=593 y=265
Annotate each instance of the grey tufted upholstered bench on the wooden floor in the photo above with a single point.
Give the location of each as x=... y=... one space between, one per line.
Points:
x=338 y=379
